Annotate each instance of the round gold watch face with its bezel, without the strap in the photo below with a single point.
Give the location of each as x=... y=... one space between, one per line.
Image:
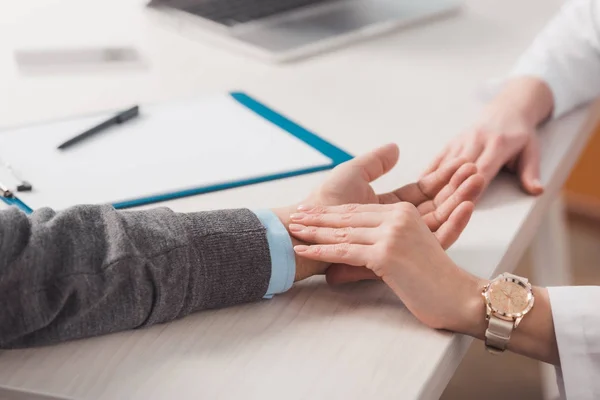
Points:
x=509 y=297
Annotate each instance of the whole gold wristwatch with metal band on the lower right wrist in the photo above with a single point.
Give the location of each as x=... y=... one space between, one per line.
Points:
x=508 y=298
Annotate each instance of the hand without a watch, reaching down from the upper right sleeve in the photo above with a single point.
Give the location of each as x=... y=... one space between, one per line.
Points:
x=505 y=135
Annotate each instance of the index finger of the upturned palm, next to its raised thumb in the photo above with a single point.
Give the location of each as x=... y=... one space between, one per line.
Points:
x=427 y=187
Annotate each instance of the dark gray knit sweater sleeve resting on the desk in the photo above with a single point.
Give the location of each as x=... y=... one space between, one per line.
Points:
x=92 y=270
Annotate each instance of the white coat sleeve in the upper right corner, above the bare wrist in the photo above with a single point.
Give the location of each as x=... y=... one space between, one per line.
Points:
x=566 y=55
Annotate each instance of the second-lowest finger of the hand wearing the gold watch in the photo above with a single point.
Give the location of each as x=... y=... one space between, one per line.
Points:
x=317 y=235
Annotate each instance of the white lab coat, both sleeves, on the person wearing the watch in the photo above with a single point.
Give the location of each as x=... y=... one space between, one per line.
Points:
x=566 y=55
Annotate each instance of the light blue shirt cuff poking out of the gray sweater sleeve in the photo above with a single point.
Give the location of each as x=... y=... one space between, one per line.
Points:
x=283 y=263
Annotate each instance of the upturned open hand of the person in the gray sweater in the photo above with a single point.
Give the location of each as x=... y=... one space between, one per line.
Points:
x=436 y=195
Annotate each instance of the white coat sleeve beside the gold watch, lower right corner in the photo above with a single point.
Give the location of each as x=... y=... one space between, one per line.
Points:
x=576 y=317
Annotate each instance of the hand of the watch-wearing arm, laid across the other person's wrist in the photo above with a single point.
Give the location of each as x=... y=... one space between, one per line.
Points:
x=394 y=242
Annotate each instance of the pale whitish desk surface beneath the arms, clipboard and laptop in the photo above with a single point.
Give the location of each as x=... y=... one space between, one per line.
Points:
x=417 y=87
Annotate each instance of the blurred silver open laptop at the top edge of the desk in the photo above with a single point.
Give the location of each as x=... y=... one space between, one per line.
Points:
x=285 y=30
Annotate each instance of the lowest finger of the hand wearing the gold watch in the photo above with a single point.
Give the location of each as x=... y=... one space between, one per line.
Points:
x=352 y=254
